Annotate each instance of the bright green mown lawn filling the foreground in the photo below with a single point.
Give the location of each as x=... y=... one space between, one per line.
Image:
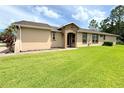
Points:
x=84 y=67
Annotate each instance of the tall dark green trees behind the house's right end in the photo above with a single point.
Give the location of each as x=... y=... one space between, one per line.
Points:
x=115 y=22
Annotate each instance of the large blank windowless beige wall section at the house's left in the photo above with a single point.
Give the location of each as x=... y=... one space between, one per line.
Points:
x=35 y=39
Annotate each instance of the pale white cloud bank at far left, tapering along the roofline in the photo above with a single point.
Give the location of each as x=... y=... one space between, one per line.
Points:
x=11 y=14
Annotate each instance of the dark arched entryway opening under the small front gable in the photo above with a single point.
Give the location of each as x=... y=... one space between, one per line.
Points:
x=70 y=40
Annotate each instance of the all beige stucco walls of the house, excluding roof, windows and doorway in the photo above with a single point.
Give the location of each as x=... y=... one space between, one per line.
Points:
x=36 y=39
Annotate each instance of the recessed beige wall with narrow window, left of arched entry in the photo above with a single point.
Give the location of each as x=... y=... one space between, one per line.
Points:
x=59 y=40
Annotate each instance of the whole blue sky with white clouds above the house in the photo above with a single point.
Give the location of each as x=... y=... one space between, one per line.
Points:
x=54 y=15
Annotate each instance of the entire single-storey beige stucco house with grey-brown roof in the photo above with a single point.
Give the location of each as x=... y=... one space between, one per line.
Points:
x=37 y=36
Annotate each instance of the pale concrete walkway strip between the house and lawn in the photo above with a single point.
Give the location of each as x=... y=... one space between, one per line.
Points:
x=40 y=51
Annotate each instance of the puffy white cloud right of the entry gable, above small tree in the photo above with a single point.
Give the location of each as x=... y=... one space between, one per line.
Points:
x=85 y=14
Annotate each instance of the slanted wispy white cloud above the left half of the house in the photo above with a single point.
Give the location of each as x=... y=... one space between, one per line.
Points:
x=47 y=12
